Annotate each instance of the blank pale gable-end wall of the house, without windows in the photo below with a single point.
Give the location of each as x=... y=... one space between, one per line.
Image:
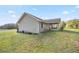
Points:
x=28 y=24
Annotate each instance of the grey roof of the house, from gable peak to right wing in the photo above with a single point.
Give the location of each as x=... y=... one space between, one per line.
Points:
x=56 y=20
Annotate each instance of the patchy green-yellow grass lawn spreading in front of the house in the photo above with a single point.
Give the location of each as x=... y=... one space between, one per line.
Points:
x=52 y=41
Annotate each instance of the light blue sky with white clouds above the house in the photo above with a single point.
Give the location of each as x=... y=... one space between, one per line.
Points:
x=12 y=13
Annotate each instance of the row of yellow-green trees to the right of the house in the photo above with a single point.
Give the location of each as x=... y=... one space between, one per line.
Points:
x=71 y=24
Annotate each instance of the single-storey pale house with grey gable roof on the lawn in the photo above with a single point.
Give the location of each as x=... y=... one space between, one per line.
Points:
x=31 y=24
